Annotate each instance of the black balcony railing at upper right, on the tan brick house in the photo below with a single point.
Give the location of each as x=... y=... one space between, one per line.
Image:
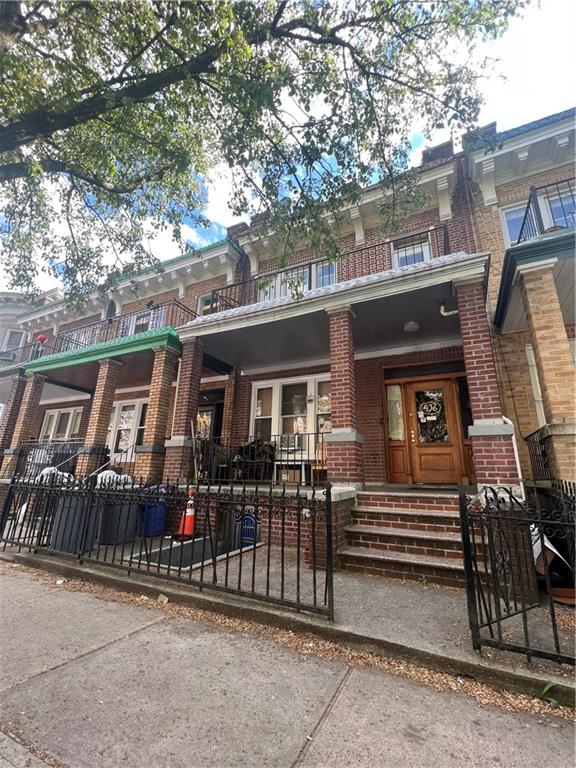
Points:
x=549 y=208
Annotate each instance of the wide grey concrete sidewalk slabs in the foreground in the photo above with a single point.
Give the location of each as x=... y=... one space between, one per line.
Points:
x=90 y=683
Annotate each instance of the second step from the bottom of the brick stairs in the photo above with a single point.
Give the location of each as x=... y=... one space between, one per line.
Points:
x=432 y=543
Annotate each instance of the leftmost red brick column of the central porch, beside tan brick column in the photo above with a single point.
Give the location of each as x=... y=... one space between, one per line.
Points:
x=178 y=462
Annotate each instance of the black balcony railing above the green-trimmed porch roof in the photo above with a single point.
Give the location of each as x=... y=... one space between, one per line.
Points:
x=149 y=318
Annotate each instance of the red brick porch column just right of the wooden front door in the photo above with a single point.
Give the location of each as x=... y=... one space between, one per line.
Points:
x=492 y=441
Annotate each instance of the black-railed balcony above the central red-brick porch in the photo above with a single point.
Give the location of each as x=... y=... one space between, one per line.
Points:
x=296 y=281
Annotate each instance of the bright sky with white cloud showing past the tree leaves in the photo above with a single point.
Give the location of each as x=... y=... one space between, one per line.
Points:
x=531 y=78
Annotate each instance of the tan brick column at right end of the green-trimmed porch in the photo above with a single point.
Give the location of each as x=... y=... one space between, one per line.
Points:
x=150 y=455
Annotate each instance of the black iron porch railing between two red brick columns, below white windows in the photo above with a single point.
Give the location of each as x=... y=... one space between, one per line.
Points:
x=294 y=459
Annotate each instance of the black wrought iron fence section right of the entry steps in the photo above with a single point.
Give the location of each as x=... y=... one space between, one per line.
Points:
x=519 y=563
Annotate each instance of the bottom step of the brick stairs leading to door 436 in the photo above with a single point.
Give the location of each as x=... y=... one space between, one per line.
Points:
x=447 y=571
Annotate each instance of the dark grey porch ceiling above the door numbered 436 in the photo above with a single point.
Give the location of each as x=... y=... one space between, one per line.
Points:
x=377 y=326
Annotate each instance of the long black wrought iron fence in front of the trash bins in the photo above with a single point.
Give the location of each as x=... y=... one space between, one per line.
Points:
x=259 y=542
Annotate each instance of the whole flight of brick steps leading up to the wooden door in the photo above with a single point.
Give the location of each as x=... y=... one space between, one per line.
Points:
x=408 y=535
